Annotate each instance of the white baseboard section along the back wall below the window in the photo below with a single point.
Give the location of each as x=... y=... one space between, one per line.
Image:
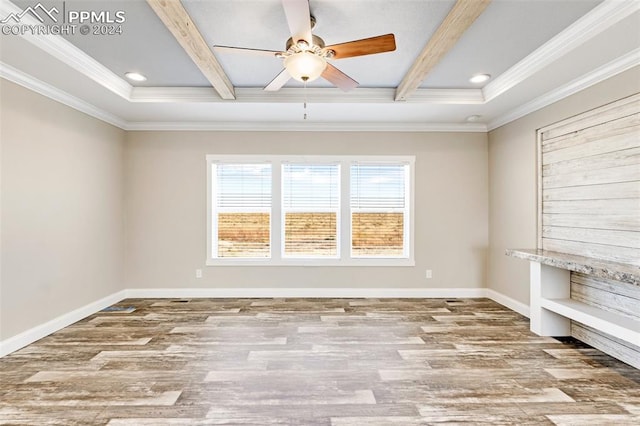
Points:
x=435 y=293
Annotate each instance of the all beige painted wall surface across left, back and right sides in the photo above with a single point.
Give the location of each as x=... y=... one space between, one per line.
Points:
x=78 y=194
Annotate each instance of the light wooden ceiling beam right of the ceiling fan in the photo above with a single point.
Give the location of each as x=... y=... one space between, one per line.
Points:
x=459 y=19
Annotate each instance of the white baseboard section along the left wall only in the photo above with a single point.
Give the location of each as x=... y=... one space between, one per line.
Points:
x=38 y=332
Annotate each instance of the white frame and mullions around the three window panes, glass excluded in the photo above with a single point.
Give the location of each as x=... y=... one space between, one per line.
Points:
x=344 y=219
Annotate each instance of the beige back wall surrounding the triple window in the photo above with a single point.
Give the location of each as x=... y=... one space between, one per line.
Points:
x=166 y=210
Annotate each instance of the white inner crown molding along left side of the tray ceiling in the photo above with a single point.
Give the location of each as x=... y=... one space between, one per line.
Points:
x=63 y=50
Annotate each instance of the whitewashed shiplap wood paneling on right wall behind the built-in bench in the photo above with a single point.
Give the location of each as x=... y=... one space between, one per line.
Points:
x=589 y=205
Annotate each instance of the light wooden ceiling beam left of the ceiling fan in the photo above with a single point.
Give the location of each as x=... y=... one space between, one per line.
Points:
x=174 y=16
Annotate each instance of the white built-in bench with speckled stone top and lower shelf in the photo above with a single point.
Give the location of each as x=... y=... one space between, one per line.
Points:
x=551 y=306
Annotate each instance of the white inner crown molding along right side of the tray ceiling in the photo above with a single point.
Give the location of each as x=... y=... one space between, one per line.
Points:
x=602 y=17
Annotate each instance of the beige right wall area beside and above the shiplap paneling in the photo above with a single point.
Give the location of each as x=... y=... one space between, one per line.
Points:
x=512 y=177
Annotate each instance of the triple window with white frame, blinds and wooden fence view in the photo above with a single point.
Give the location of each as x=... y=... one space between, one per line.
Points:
x=312 y=210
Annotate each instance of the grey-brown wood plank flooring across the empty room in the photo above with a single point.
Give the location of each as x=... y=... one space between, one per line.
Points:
x=338 y=362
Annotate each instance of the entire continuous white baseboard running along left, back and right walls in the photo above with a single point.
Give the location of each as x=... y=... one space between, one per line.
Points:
x=27 y=337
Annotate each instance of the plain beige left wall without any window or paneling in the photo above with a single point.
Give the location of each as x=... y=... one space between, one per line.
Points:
x=61 y=209
